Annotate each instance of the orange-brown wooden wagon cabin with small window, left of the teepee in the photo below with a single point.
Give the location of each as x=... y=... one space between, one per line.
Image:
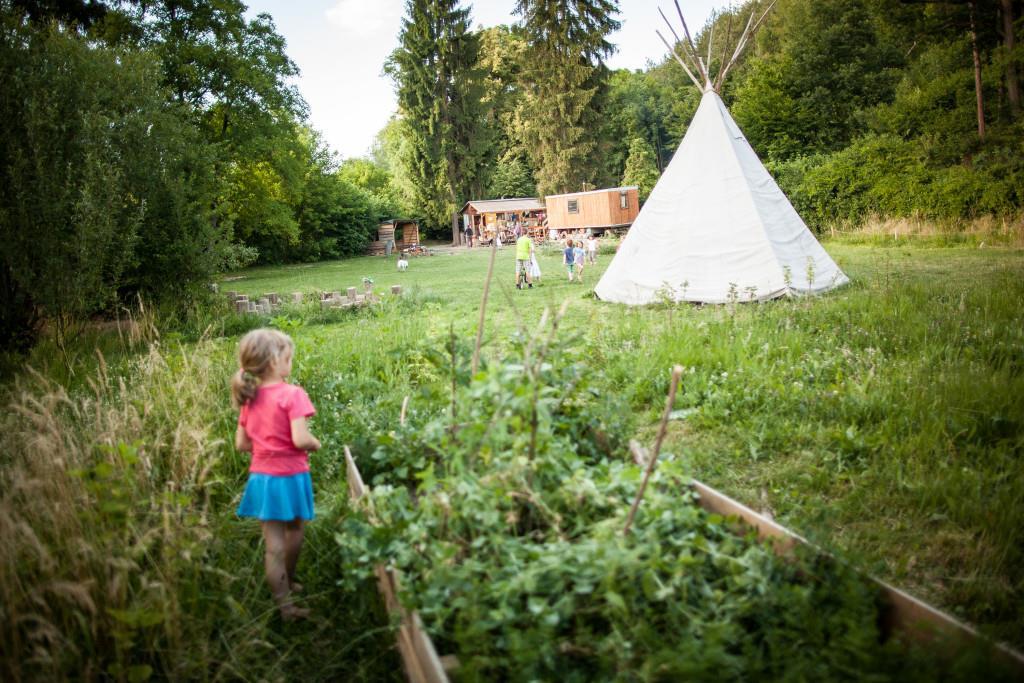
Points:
x=598 y=210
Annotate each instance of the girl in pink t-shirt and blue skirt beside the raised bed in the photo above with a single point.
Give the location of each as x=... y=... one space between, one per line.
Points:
x=273 y=428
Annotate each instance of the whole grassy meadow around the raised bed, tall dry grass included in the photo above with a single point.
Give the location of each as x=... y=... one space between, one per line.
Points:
x=884 y=421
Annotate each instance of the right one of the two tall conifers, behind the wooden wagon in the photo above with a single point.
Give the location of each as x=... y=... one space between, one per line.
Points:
x=564 y=80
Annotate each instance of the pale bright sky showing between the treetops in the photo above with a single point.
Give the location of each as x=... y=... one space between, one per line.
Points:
x=340 y=48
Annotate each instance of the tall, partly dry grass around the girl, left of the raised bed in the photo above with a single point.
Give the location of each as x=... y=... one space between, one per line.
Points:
x=122 y=558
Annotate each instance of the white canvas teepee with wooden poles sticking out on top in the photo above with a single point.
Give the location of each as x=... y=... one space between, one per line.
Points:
x=716 y=228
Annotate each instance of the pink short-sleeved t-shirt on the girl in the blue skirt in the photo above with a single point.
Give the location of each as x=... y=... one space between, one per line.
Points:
x=268 y=421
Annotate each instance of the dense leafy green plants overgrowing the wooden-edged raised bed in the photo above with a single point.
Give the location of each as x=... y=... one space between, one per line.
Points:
x=506 y=519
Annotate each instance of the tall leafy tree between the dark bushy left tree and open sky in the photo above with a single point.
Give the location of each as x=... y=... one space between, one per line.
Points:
x=234 y=76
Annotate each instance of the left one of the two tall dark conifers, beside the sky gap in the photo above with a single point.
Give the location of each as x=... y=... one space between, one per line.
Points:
x=440 y=102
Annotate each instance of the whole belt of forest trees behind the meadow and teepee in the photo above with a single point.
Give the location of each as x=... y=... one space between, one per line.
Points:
x=155 y=145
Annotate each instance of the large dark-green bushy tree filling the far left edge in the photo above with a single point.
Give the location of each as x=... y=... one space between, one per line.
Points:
x=106 y=188
